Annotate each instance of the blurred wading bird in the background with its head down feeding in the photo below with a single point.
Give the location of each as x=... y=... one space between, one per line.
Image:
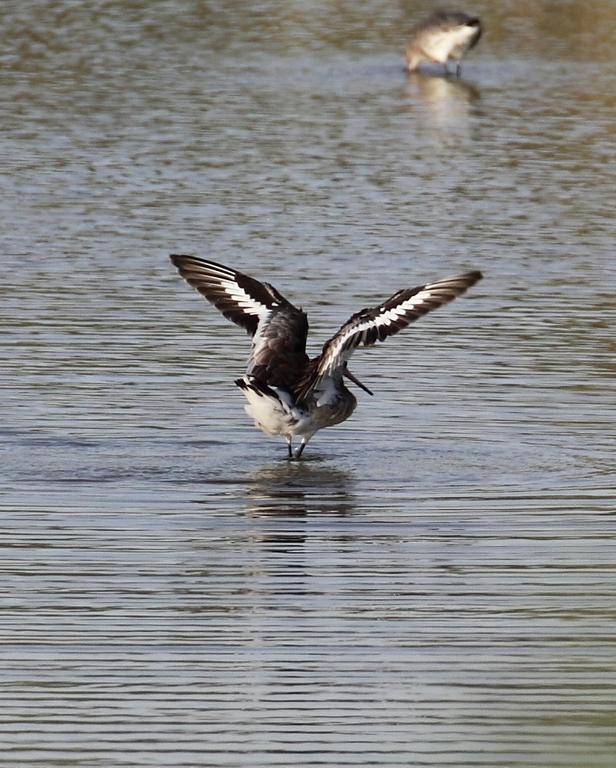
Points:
x=444 y=36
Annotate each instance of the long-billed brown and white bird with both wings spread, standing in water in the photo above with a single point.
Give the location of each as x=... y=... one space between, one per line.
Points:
x=288 y=394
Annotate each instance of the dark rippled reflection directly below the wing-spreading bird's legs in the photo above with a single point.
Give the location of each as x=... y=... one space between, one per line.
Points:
x=296 y=490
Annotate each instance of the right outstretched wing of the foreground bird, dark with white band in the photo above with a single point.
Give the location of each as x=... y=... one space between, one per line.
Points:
x=368 y=326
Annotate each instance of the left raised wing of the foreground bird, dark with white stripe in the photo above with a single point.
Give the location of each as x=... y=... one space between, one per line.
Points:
x=279 y=329
